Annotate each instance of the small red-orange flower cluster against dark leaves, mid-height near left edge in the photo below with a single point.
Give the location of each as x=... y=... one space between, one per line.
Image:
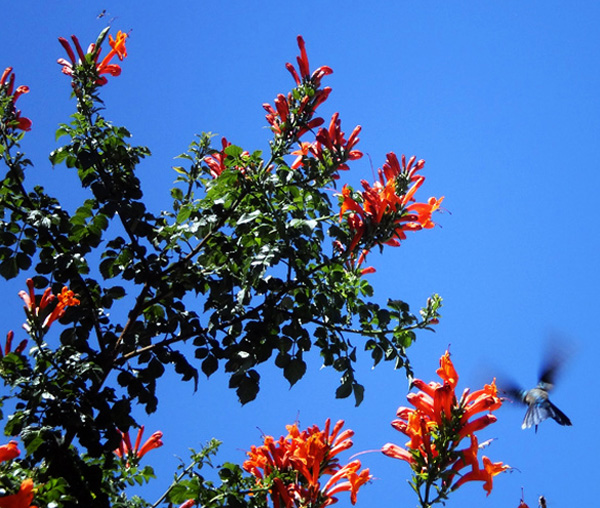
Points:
x=41 y=311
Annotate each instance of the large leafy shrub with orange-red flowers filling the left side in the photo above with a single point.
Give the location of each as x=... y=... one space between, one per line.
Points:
x=111 y=288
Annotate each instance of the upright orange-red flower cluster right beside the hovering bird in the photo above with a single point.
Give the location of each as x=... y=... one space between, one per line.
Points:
x=436 y=427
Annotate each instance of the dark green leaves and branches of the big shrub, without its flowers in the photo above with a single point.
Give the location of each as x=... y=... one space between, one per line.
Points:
x=240 y=272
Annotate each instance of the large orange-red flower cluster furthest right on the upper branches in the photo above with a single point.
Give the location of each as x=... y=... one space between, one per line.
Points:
x=387 y=205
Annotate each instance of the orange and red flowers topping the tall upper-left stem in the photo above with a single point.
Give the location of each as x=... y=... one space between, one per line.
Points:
x=105 y=66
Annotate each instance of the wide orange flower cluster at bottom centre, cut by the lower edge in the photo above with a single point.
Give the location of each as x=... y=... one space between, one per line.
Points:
x=291 y=467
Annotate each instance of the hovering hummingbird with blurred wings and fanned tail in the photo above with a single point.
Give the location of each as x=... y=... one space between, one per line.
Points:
x=539 y=406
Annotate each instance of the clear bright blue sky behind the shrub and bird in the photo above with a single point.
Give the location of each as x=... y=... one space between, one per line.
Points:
x=500 y=98
